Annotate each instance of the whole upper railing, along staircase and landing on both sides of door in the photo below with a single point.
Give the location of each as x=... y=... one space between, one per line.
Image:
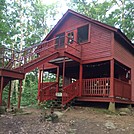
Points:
x=11 y=58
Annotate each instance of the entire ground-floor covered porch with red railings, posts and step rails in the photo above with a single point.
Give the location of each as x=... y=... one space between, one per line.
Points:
x=105 y=81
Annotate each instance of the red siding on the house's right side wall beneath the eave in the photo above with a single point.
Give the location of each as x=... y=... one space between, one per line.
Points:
x=125 y=57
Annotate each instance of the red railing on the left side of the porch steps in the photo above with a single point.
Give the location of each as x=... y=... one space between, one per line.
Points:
x=48 y=92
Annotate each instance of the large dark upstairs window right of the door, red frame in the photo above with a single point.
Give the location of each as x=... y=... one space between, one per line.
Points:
x=83 y=34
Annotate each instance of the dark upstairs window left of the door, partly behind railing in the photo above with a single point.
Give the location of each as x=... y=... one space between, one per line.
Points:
x=60 y=40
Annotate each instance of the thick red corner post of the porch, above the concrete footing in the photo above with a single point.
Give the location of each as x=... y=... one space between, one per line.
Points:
x=112 y=79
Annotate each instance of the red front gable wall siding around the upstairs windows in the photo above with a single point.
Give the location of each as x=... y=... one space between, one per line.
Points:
x=99 y=45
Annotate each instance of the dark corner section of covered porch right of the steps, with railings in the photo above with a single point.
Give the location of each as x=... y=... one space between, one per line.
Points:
x=107 y=80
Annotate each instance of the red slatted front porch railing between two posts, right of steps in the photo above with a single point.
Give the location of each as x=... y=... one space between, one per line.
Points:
x=96 y=87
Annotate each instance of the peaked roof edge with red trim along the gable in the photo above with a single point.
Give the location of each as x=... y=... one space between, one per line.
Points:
x=117 y=32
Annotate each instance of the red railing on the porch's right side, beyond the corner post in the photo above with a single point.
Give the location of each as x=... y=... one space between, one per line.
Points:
x=122 y=90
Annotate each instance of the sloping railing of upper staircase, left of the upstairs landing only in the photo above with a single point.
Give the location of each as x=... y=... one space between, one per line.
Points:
x=11 y=58
